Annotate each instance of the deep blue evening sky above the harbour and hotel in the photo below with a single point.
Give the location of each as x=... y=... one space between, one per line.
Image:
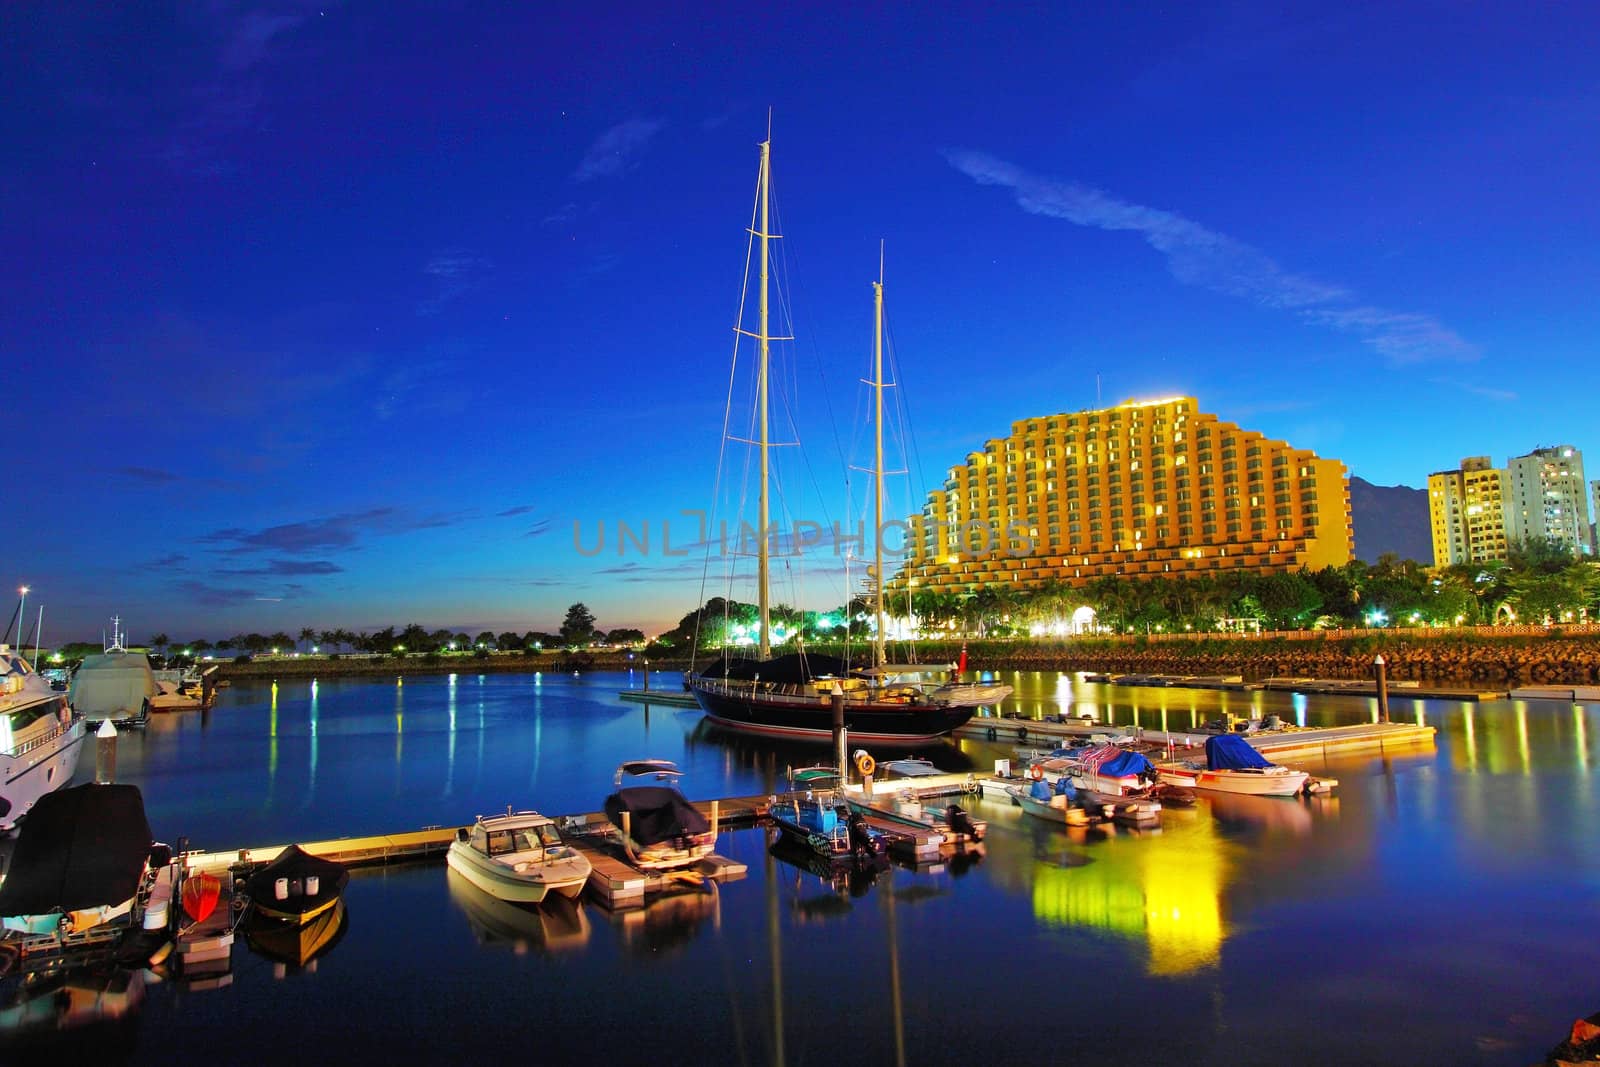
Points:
x=346 y=314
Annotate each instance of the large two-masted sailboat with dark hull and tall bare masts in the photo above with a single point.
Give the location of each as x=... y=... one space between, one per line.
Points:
x=793 y=697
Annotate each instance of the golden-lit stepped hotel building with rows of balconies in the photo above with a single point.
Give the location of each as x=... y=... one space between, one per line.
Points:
x=1140 y=490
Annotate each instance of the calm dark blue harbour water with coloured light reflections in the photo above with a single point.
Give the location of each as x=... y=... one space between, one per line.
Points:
x=1441 y=908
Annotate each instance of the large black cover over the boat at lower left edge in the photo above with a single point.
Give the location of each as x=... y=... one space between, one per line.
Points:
x=79 y=849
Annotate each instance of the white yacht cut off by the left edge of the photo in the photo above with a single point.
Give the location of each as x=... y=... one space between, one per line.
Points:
x=41 y=740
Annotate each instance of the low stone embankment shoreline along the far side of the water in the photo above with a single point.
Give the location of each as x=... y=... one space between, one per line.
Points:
x=1543 y=660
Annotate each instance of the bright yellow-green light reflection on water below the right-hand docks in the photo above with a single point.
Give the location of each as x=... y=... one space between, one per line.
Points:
x=1164 y=889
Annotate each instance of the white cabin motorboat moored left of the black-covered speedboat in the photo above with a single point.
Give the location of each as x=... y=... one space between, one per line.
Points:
x=519 y=857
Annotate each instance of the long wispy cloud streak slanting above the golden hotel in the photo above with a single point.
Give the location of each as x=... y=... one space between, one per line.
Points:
x=1223 y=265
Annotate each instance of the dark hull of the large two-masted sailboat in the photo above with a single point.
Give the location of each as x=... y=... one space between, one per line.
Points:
x=802 y=719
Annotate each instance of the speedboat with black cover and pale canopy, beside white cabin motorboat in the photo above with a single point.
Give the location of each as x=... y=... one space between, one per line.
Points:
x=660 y=829
